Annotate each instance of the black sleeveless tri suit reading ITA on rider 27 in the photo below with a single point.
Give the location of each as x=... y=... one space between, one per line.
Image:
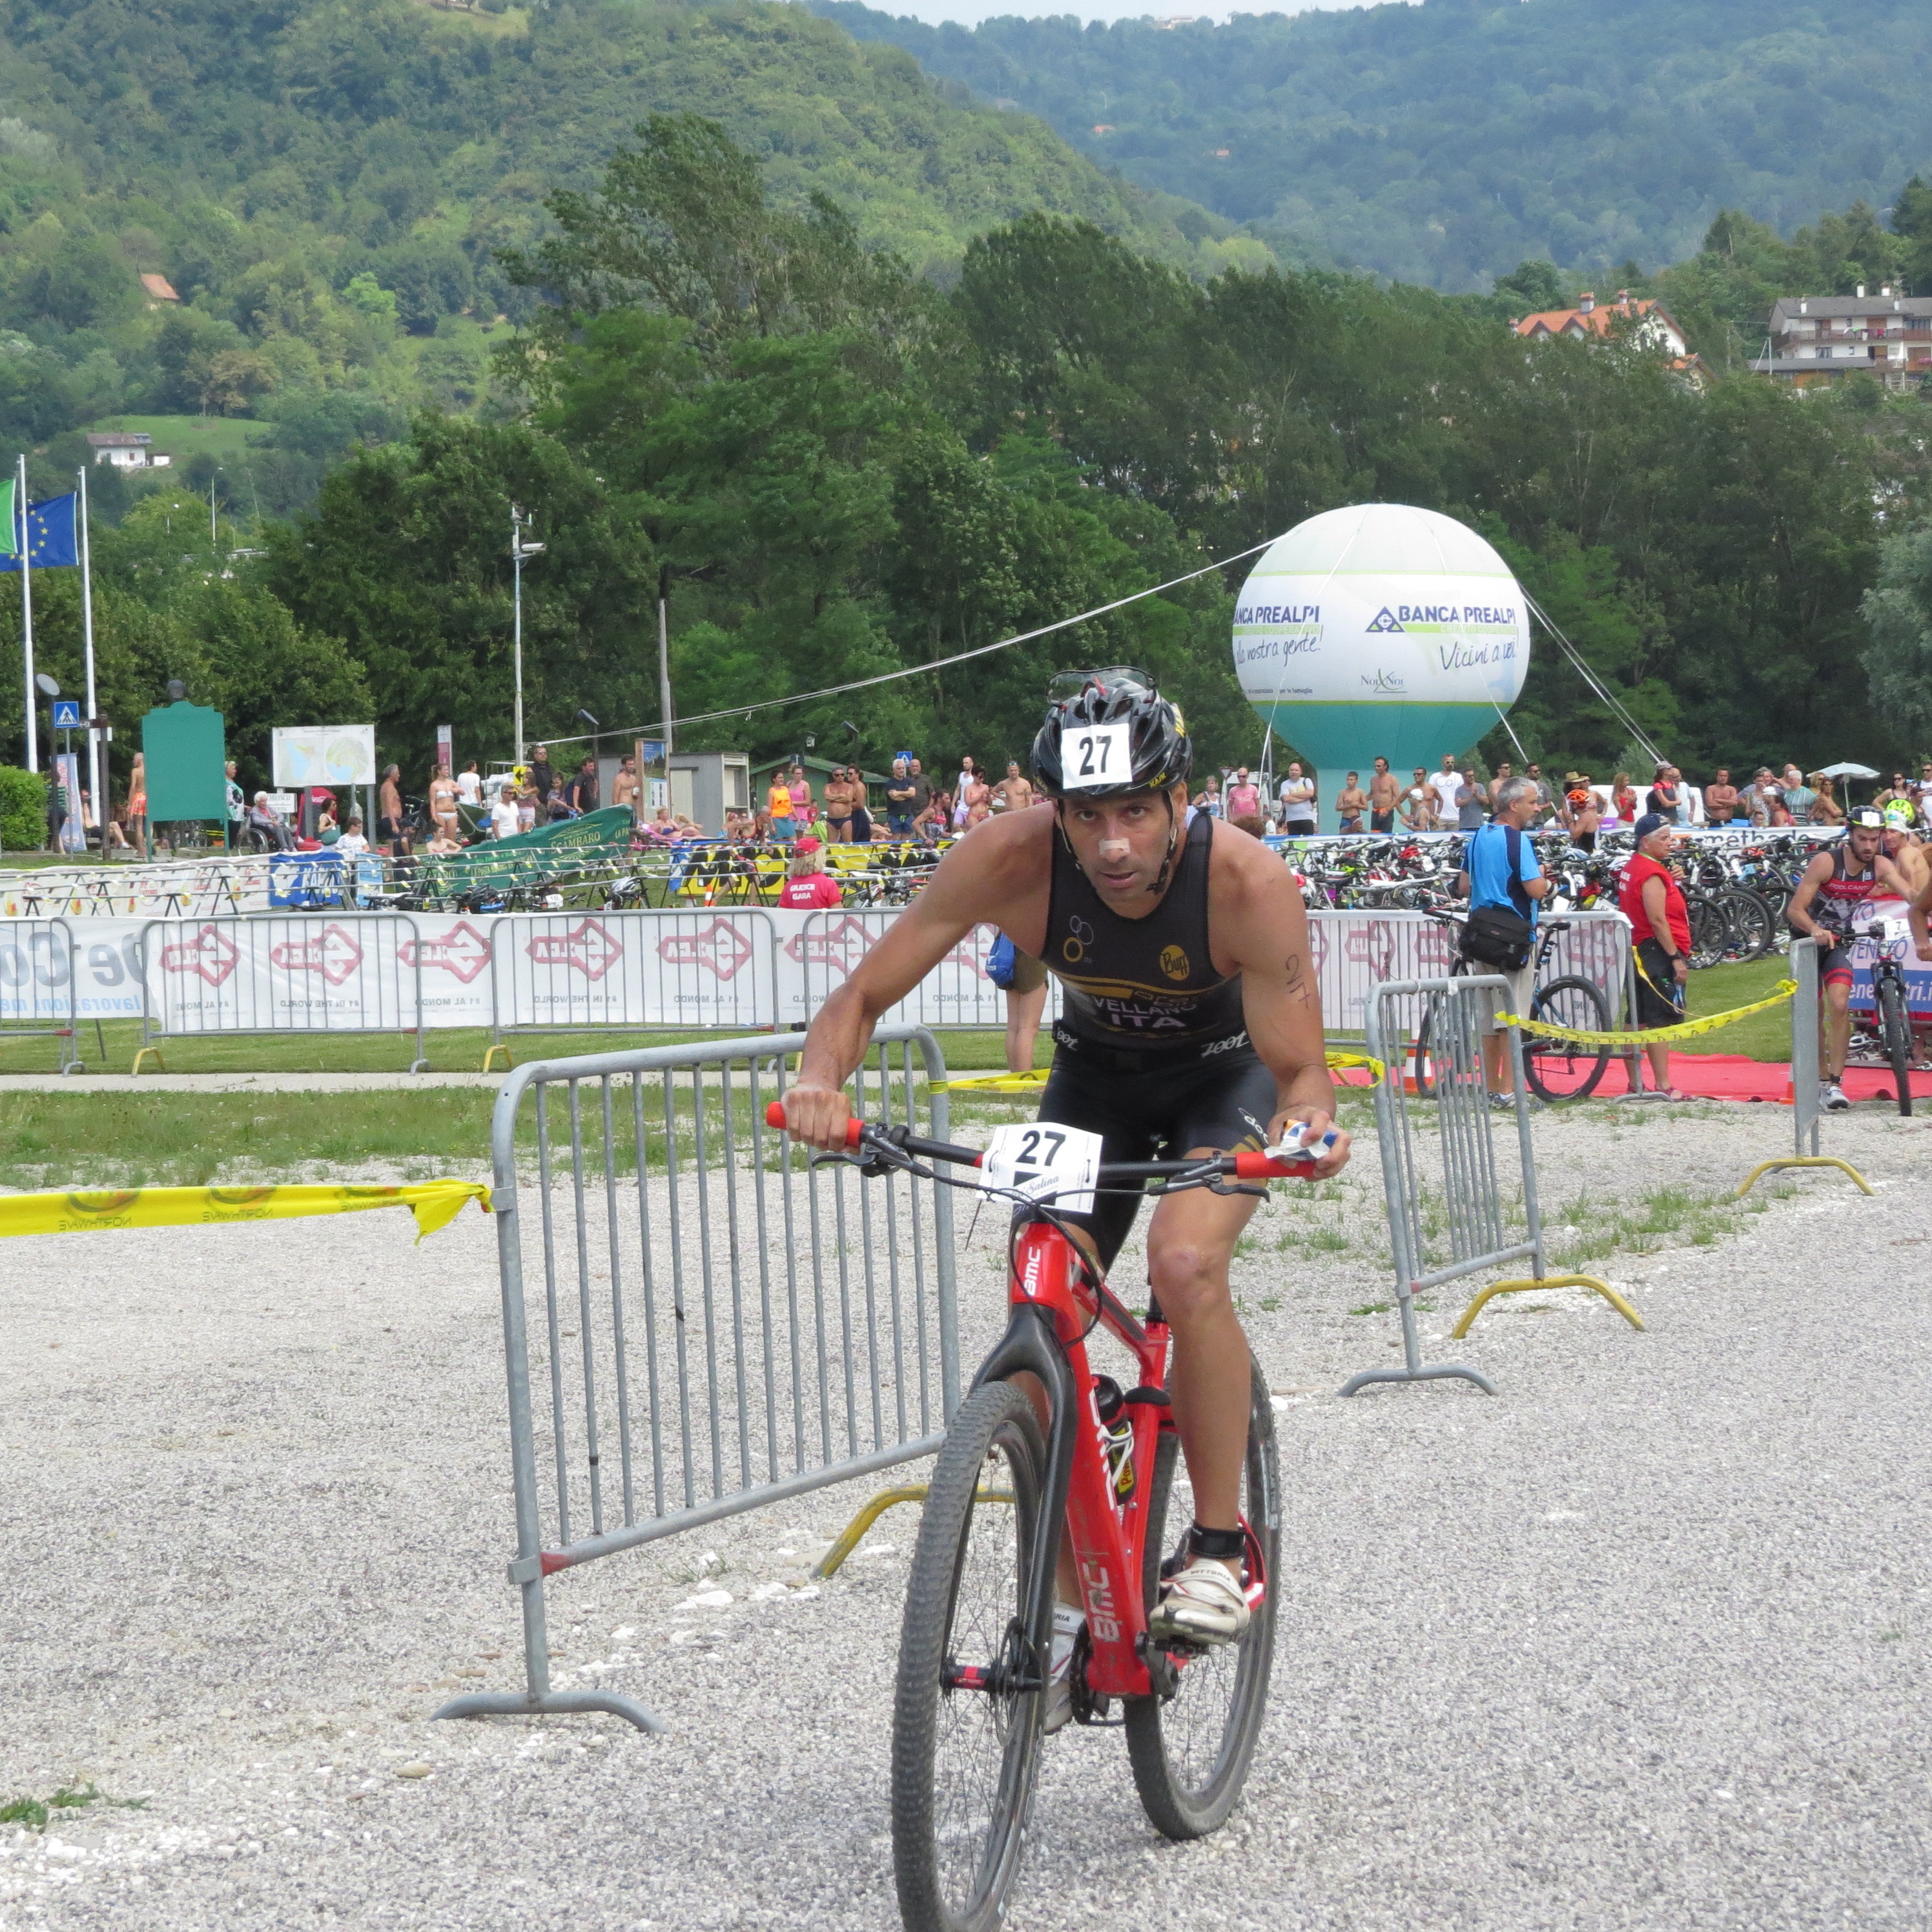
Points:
x=1151 y=1050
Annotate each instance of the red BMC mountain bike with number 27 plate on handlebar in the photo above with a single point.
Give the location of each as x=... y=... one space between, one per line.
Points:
x=979 y=1628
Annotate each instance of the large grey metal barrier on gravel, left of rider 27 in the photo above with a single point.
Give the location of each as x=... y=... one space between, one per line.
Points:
x=700 y=1321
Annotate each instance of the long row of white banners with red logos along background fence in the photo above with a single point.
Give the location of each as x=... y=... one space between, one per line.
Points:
x=714 y=969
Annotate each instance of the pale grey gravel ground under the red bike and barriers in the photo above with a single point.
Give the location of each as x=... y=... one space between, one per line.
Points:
x=1634 y=1645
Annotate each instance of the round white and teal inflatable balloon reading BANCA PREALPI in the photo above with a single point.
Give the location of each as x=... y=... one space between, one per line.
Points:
x=1384 y=631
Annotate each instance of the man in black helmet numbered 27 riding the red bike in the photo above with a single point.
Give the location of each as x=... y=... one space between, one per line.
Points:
x=1191 y=1027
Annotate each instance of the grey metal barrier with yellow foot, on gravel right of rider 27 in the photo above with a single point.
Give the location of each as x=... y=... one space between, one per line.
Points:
x=1440 y=1164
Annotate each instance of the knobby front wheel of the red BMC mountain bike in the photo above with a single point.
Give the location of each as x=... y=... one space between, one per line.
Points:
x=957 y=1833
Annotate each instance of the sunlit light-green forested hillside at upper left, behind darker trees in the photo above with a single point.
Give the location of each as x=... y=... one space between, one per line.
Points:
x=327 y=186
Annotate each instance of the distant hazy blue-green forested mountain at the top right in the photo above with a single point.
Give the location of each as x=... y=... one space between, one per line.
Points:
x=1448 y=142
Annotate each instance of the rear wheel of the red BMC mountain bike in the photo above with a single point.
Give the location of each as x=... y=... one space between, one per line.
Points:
x=1191 y=1749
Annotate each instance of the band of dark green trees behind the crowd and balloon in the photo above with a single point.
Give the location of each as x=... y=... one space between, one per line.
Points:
x=836 y=470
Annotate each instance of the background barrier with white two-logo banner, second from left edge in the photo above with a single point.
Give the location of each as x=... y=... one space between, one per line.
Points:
x=345 y=973
